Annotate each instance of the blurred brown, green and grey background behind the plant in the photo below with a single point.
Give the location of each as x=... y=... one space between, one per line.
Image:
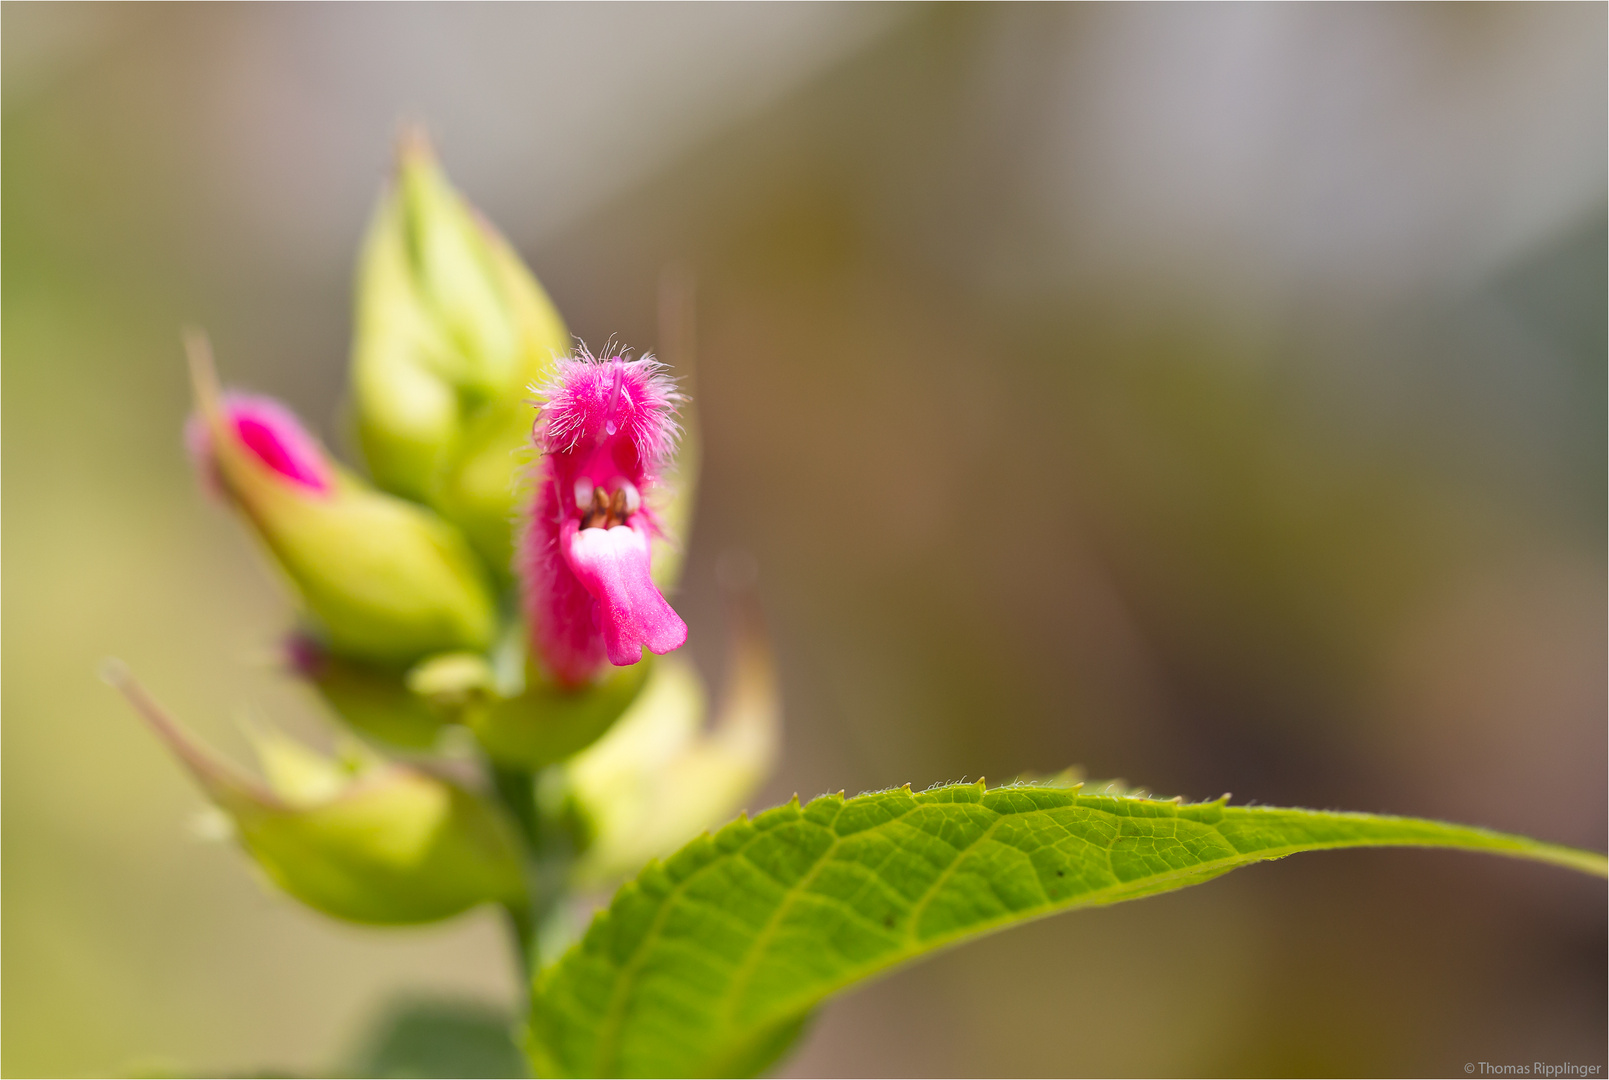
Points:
x=1212 y=397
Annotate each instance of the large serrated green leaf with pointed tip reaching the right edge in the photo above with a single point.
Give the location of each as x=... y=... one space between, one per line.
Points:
x=709 y=963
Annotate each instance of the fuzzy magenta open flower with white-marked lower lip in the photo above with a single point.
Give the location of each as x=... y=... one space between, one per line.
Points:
x=606 y=434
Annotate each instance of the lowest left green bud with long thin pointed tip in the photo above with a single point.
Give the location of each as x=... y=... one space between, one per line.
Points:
x=368 y=843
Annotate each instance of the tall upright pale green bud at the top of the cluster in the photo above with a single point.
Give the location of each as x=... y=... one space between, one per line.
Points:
x=451 y=329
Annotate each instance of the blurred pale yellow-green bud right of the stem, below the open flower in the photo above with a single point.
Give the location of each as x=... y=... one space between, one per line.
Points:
x=657 y=778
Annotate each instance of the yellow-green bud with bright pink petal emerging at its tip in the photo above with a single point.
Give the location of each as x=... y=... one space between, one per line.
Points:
x=387 y=580
